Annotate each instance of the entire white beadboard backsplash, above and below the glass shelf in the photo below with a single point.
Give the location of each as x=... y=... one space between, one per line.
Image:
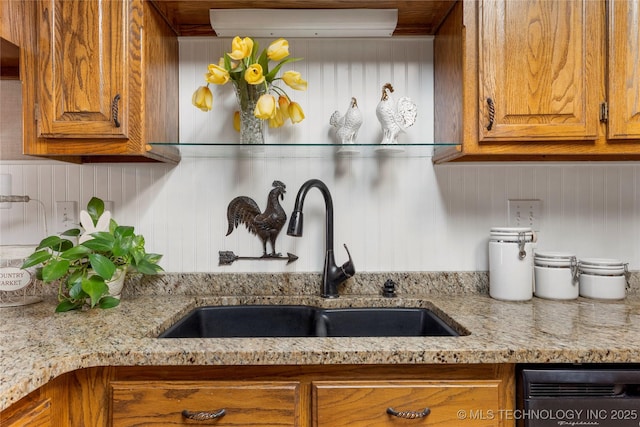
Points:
x=398 y=214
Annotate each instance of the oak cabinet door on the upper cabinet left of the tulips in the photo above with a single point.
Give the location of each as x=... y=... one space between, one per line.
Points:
x=83 y=68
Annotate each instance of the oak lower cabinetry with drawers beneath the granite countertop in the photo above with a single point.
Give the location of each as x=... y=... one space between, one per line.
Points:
x=298 y=396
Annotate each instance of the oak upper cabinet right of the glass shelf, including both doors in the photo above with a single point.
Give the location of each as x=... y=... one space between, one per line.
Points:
x=536 y=80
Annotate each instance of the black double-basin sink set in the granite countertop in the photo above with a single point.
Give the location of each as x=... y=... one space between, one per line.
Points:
x=305 y=321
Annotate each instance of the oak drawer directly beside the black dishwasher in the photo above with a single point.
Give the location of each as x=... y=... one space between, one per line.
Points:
x=365 y=403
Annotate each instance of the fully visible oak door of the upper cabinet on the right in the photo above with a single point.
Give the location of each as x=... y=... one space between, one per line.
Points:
x=539 y=63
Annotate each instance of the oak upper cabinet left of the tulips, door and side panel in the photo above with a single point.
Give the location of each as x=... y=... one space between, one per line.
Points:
x=106 y=82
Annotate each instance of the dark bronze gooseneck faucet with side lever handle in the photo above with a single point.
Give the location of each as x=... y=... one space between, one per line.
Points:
x=332 y=275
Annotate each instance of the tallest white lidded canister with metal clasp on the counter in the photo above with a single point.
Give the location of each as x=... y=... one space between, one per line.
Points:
x=511 y=263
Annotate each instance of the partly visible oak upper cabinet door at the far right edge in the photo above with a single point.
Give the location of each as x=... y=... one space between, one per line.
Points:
x=624 y=69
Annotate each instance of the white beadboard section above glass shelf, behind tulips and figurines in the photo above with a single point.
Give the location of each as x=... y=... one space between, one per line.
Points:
x=335 y=69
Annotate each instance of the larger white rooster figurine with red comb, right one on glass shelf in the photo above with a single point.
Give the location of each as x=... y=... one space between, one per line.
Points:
x=394 y=117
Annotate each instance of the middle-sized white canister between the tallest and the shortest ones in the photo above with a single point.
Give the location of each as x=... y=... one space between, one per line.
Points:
x=556 y=275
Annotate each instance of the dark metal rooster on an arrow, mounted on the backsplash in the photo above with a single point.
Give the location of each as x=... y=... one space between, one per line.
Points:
x=266 y=225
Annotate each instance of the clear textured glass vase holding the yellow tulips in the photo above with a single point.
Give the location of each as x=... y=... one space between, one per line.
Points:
x=251 y=127
